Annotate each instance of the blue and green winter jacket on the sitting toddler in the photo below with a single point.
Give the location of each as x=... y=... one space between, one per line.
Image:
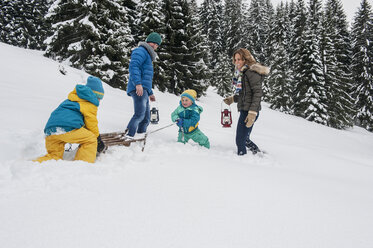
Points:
x=191 y=116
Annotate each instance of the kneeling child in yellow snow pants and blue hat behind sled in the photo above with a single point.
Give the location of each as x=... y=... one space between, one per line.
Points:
x=75 y=121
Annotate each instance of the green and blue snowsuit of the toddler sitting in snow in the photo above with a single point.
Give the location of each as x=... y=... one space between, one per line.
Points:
x=190 y=130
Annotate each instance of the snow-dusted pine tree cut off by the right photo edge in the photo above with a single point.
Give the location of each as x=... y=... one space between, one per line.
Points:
x=362 y=64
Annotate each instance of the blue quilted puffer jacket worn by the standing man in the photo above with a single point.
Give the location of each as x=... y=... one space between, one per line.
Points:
x=141 y=68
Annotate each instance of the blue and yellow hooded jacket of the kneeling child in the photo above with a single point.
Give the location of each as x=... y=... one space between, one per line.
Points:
x=80 y=109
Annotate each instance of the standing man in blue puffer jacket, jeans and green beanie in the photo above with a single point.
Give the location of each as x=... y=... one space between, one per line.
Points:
x=140 y=83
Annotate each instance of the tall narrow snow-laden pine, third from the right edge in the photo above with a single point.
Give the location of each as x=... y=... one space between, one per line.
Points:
x=310 y=99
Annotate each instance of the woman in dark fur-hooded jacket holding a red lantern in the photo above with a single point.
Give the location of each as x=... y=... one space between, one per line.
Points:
x=247 y=81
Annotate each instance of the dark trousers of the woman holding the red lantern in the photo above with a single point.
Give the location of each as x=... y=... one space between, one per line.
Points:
x=243 y=135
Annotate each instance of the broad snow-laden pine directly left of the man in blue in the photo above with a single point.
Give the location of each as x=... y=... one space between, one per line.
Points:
x=93 y=36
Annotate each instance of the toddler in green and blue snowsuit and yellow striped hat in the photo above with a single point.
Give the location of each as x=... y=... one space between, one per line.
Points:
x=187 y=116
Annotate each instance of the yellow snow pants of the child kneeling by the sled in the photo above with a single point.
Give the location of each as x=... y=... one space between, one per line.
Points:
x=55 y=145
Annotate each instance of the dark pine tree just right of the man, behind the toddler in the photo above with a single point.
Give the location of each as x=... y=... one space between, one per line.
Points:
x=183 y=50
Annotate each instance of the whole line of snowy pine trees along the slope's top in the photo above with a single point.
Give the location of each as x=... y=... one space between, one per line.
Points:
x=321 y=66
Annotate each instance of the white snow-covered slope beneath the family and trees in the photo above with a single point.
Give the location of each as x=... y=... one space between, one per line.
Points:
x=313 y=188
